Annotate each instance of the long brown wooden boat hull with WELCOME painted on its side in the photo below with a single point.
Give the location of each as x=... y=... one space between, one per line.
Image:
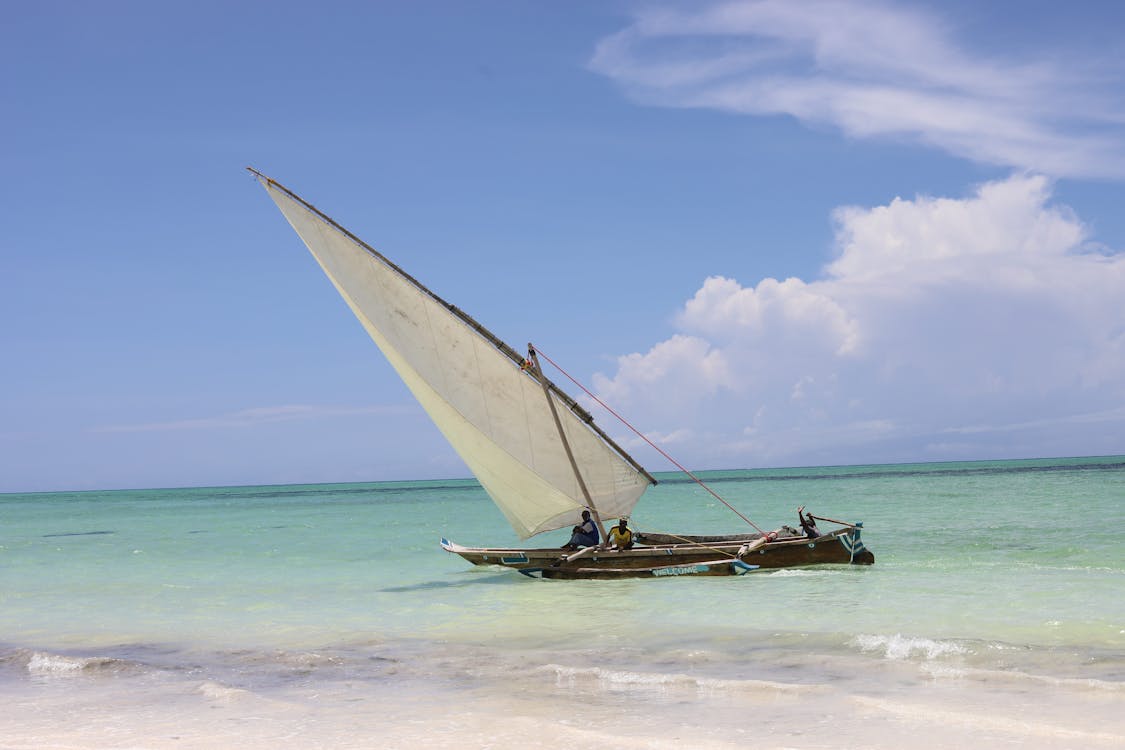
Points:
x=842 y=547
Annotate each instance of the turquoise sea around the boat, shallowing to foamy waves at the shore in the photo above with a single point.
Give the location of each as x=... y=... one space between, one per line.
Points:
x=329 y=617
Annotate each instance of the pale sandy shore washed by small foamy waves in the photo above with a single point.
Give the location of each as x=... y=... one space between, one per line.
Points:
x=376 y=697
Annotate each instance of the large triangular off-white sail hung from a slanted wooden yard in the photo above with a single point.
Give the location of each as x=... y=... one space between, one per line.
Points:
x=493 y=413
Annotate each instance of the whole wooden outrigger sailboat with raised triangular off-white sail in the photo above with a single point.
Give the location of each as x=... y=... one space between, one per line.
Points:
x=537 y=453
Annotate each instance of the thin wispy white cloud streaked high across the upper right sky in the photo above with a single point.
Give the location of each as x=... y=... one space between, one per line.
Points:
x=872 y=70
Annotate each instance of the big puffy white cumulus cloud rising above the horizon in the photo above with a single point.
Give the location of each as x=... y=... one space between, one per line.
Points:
x=942 y=326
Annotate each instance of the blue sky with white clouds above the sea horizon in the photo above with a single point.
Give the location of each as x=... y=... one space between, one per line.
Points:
x=769 y=233
